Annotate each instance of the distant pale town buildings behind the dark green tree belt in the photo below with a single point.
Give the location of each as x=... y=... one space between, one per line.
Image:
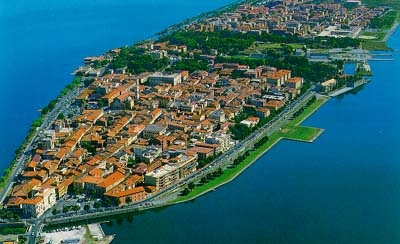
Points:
x=301 y=17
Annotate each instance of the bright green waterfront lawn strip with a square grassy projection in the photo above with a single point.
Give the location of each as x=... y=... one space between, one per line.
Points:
x=296 y=132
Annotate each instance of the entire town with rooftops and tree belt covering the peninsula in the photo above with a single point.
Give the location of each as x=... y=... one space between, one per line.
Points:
x=138 y=127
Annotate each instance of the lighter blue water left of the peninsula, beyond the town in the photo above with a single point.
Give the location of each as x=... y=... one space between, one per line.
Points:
x=42 y=42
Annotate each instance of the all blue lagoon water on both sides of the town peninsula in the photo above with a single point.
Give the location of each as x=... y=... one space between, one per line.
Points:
x=343 y=188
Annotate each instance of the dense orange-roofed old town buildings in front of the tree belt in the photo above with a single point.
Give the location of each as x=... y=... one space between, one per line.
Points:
x=137 y=135
